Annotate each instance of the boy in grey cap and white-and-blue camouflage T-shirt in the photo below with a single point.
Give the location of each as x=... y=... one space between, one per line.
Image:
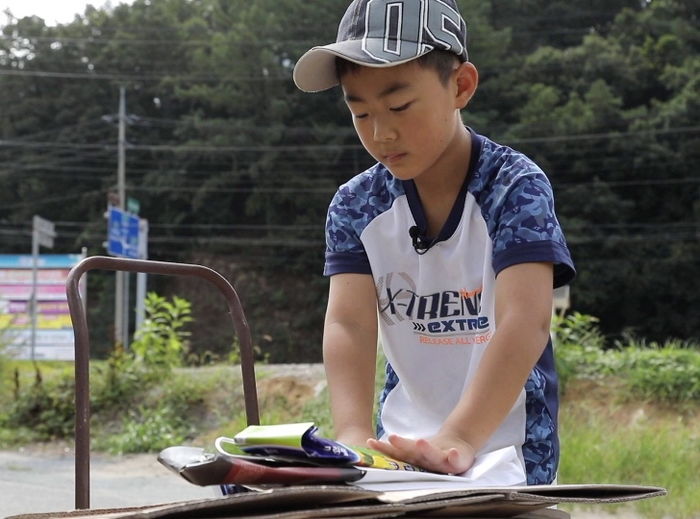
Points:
x=448 y=246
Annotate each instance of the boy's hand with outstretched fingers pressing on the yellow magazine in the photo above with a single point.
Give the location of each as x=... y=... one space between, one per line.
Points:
x=442 y=453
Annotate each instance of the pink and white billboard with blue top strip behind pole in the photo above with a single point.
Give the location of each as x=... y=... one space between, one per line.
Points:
x=53 y=338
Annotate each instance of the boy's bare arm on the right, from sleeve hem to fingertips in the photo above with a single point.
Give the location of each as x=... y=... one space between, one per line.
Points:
x=523 y=314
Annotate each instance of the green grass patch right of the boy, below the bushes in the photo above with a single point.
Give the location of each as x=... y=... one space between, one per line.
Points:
x=605 y=438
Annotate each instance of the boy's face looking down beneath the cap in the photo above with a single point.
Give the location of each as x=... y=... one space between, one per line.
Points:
x=405 y=117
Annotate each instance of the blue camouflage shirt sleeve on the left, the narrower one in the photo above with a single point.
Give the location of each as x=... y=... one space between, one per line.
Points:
x=345 y=252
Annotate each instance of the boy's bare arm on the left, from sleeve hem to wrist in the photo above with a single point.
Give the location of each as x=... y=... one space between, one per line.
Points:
x=349 y=355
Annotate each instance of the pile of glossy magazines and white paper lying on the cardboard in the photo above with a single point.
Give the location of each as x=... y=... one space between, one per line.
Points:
x=294 y=454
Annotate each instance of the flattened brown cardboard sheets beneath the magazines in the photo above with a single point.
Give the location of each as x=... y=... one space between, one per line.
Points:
x=335 y=501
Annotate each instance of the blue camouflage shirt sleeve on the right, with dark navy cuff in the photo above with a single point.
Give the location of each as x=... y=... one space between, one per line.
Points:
x=525 y=227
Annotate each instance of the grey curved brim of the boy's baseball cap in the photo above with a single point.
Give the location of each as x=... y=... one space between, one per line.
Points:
x=315 y=71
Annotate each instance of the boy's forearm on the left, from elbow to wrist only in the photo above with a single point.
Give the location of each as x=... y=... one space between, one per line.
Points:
x=350 y=361
